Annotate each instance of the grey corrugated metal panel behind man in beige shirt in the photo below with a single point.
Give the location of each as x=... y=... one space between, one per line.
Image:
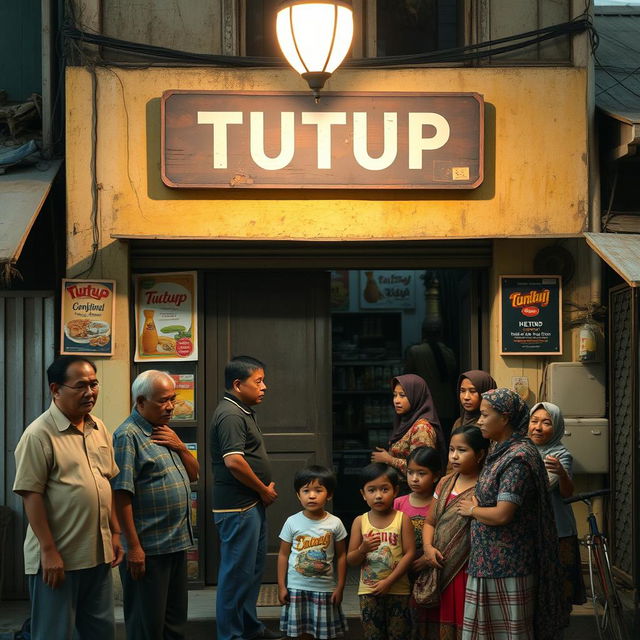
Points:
x=26 y=349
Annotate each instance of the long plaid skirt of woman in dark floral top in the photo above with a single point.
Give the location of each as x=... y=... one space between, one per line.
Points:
x=499 y=608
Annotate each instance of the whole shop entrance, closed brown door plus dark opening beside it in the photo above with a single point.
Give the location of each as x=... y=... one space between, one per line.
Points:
x=332 y=347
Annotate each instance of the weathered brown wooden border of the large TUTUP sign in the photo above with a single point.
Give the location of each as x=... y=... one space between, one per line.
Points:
x=241 y=178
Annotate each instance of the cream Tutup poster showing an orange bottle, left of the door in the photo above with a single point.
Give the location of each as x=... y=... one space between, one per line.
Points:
x=166 y=316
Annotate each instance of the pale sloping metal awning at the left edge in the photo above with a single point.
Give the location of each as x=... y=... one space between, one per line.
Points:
x=22 y=194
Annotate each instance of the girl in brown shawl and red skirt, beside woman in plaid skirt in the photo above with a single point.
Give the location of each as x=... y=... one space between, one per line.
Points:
x=446 y=537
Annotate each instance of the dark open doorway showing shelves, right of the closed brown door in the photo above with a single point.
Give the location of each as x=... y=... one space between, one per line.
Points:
x=385 y=323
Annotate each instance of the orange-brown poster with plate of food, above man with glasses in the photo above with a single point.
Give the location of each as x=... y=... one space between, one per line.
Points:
x=86 y=326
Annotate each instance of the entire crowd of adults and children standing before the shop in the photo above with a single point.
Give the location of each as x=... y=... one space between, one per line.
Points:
x=465 y=537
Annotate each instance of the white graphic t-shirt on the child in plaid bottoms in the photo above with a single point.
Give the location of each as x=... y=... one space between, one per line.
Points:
x=312 y=551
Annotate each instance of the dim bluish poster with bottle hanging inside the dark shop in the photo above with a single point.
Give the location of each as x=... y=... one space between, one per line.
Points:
x=387 y=290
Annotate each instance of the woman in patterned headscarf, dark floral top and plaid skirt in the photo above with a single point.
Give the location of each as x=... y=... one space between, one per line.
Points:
x=513 y=589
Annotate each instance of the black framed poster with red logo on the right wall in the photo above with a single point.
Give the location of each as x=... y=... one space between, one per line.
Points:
x=552 y=315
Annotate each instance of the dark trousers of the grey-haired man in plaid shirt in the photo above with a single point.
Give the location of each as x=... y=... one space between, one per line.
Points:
x=155 y=607
